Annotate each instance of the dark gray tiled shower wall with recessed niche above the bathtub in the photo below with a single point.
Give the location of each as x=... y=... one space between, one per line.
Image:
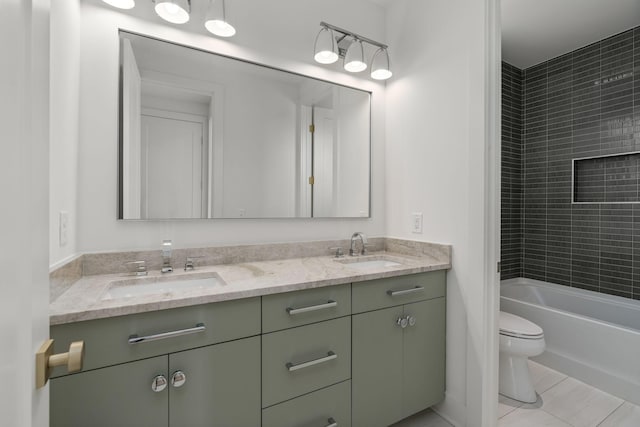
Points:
x=582 y=104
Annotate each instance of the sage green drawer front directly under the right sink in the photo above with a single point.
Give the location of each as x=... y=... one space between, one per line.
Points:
x=382 y=293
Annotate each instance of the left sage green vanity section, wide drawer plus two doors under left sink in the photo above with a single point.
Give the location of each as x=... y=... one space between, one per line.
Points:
x=195 y=385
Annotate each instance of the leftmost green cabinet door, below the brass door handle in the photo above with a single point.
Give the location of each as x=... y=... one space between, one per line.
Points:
x=120 y=396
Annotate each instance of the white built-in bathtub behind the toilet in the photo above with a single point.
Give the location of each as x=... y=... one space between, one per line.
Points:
x=592 y=337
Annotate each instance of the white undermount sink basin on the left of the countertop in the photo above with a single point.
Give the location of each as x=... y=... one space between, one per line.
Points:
x=140 y=286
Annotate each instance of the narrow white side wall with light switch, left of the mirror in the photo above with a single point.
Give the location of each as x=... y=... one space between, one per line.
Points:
x=63 y=162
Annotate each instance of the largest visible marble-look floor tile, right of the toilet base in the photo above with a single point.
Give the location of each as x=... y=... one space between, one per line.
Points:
x=579 y=404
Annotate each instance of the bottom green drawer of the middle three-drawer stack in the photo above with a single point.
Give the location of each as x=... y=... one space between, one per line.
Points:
x=318 y=409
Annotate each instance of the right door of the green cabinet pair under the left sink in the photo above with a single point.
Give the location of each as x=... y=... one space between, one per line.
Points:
x=222 y=385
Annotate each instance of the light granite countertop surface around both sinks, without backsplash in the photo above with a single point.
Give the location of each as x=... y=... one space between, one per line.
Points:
x=87 y=298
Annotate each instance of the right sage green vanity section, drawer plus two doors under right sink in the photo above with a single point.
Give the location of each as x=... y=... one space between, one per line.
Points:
x=398 y=352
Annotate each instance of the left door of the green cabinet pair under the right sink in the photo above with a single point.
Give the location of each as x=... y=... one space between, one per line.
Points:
x=377 y=368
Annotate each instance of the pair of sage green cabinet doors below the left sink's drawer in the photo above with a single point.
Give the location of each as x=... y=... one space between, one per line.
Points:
x=221 y=388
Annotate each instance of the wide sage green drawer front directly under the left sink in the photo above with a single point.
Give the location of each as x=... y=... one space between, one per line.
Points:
x=107 y=340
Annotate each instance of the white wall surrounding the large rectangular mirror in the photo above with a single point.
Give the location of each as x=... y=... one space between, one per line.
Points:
x=266 y=34
